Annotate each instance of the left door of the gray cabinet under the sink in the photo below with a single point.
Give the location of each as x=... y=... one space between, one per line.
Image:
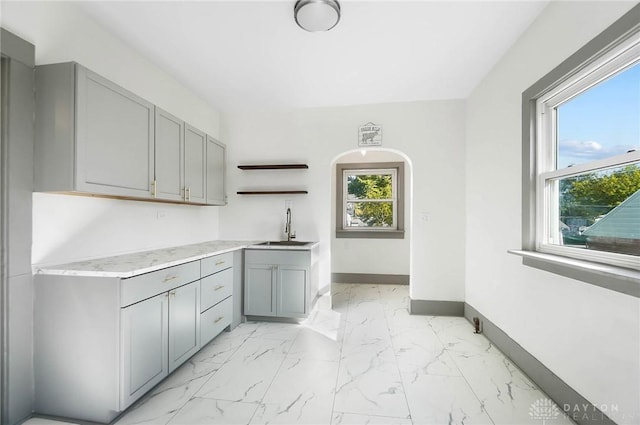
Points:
x=259 y=295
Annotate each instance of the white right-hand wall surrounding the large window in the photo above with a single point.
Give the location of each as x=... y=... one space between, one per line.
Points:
x=588 y=336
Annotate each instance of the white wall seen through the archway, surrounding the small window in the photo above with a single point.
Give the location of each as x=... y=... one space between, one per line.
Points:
x=371 y=255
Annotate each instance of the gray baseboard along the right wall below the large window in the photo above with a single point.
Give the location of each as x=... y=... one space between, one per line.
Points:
x=578 y=408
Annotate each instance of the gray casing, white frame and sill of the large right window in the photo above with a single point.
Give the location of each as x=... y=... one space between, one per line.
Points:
x=593 y=270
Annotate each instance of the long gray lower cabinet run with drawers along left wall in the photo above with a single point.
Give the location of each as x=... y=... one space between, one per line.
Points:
x=103 y=342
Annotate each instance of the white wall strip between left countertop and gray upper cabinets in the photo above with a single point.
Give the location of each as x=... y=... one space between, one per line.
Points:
x=71 y=228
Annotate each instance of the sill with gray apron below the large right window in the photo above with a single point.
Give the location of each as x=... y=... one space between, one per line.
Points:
x=619 y=279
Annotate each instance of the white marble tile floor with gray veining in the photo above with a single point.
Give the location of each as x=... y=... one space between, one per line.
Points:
x=366 y=361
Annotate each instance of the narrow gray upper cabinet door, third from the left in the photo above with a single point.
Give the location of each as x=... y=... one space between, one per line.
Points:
x=195 y=158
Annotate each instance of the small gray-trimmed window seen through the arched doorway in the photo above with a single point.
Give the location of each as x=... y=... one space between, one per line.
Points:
x=369 y=200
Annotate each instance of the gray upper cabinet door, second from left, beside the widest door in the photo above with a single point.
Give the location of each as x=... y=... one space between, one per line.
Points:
x=169 y=172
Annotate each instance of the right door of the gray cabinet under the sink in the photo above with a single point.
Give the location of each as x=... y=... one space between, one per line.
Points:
x=292 y=291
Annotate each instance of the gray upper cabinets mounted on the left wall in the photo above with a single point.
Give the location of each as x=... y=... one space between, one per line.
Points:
x=94 y=137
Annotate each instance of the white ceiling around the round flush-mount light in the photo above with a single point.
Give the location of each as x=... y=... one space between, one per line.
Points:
x=250 y=54
